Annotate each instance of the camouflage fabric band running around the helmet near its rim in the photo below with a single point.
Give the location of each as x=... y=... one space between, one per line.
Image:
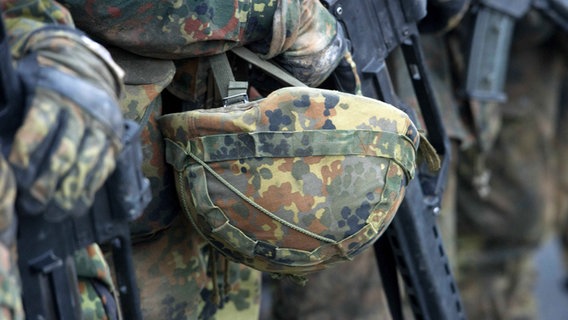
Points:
x=307 y=143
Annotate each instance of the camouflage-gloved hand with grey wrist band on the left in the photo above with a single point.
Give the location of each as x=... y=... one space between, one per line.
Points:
x=72 y=129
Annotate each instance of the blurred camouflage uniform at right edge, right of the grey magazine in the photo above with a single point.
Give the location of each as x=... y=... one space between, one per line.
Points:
x=499 y=230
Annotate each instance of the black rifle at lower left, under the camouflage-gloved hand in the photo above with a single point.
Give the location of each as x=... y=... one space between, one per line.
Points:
x=46 y=248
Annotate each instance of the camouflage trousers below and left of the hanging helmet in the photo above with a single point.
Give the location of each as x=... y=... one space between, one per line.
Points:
x=174 y=284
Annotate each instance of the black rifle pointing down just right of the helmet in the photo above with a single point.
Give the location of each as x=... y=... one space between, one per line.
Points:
x=413 y=243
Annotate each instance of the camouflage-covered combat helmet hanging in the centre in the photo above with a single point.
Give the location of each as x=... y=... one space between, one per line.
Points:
x=295 y=182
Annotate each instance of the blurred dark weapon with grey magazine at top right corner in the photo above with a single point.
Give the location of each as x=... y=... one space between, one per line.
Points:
x=487 y=45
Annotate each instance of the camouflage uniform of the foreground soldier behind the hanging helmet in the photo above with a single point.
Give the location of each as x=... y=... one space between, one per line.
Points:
x=159 y=44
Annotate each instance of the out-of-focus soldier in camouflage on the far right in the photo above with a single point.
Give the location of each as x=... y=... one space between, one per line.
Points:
x=511 y=184
